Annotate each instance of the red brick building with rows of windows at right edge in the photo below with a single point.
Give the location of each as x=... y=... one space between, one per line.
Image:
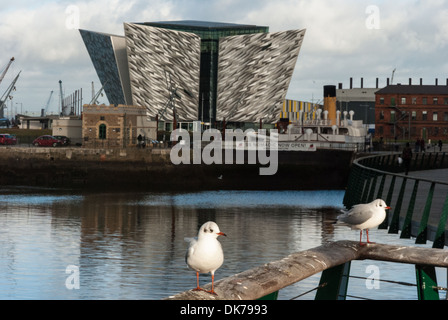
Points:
x=411 y=112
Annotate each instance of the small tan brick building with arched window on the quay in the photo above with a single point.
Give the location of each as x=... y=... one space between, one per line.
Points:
x=115 y=126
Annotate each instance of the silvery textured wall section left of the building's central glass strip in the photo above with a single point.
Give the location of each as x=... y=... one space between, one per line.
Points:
x=161 y=59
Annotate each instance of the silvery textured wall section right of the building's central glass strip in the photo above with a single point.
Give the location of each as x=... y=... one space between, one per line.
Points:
x=254 y=72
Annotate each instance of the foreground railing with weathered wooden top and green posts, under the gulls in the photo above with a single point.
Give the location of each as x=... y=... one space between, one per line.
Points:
x=333 y=260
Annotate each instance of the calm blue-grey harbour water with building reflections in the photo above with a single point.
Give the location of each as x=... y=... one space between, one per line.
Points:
x=131 y=246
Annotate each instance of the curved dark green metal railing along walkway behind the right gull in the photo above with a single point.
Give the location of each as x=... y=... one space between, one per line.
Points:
x=381 y=176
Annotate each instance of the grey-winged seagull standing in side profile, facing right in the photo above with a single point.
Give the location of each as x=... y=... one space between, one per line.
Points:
x=364 y=217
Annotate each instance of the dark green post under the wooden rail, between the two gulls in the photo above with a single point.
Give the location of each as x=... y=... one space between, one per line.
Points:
x=334 y=283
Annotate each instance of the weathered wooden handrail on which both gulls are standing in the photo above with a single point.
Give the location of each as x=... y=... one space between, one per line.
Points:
x=261 y=281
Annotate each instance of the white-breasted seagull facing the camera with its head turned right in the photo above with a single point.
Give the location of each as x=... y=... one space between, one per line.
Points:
x=205 y=254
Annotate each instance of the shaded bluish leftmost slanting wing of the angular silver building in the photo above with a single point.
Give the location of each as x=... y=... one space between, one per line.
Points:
x=101 y=50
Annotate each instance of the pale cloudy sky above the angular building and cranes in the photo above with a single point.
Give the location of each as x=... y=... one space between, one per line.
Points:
x=346 y=38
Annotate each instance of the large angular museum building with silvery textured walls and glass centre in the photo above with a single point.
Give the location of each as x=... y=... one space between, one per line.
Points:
x=209 y=71
